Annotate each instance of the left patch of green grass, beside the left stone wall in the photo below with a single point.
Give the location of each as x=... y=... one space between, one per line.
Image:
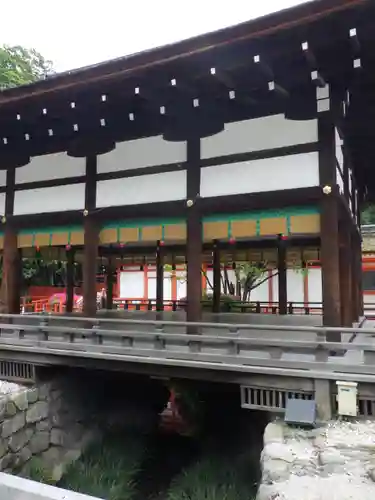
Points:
x=108 y=468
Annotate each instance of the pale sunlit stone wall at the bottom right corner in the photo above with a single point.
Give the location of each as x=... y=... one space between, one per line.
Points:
x=333 y=462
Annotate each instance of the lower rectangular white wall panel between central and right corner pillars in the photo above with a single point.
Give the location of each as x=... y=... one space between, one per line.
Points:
x=271 y=174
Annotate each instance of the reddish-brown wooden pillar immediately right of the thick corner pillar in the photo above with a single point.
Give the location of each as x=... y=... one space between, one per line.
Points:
x=345 y=274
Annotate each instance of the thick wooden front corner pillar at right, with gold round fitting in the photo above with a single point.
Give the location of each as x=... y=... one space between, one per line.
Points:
x=329 y=215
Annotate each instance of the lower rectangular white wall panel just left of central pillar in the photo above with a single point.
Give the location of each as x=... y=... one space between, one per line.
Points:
x=151 y=188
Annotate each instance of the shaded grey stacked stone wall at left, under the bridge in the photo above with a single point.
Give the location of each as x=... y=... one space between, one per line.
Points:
x=41 y=423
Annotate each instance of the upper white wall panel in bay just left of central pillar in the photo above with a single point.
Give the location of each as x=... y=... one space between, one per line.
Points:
x=142 y=153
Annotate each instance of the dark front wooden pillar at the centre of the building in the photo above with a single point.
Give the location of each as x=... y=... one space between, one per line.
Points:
x=194 y=232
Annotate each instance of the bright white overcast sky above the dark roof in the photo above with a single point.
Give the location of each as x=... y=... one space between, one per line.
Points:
x=75 y=33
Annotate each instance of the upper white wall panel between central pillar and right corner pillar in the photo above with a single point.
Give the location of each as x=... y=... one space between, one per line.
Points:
x=259 y=134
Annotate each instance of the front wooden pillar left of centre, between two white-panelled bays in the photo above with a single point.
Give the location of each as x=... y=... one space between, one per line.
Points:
x=91 y=240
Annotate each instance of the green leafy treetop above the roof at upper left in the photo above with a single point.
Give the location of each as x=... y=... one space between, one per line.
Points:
x=19 y=66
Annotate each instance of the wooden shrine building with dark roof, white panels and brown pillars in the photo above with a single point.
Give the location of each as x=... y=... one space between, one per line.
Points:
x=259 y=137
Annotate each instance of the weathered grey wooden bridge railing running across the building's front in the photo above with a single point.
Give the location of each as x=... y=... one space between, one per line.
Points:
x=289 y=350
